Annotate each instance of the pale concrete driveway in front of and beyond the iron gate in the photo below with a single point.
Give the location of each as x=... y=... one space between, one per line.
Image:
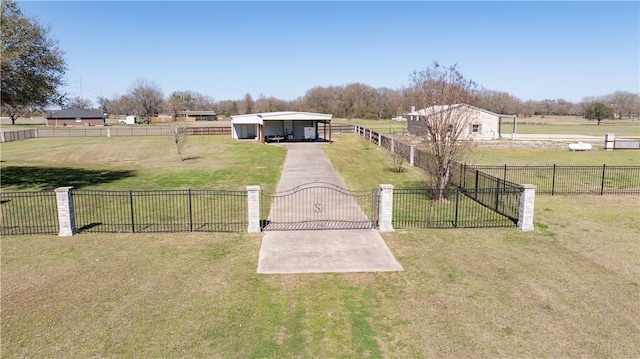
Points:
x=354 y=250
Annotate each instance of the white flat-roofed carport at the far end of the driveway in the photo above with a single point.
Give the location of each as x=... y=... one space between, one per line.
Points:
x=282 y=126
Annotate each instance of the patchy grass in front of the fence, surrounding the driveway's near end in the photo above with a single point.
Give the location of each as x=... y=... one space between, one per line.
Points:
x=567 y=289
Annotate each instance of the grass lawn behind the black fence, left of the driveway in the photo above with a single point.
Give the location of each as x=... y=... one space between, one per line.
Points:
x=130 y=163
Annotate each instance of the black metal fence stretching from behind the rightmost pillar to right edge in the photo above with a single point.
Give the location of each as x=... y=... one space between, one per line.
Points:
x=567 y=180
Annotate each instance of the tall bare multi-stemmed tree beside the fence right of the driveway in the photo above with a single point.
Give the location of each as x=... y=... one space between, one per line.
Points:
x=441 y=92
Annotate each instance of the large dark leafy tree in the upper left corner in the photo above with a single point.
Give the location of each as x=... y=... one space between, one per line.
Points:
x=32 y=65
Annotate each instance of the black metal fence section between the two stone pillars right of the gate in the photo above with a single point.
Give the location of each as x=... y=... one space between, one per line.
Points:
x=421 y=208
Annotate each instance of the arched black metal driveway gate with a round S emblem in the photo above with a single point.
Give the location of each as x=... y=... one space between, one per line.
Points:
x=319 y=206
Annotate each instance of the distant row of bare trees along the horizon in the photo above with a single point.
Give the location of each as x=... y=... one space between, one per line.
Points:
x=355 y=100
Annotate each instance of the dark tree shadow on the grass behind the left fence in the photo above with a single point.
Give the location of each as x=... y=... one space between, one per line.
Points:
x=48 y=178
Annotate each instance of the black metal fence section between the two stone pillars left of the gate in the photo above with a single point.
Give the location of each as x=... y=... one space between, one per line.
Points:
x=160 y=211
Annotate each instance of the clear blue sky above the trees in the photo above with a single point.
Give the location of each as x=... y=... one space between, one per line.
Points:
x=532 y=50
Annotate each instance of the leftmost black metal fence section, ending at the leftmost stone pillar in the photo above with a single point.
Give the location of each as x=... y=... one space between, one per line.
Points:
x=28 y=213
